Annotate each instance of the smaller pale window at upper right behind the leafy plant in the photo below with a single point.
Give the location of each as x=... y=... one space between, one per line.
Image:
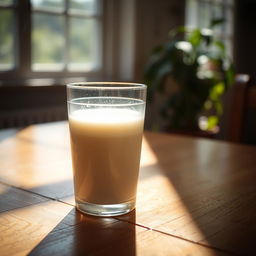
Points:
x=199 y=13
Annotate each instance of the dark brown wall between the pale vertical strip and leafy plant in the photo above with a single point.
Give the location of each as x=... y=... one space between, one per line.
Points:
x=154 y=19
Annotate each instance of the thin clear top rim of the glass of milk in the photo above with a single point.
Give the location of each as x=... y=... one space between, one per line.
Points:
x=107 y=85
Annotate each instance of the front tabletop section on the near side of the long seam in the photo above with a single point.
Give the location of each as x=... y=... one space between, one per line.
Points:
x=53 y=228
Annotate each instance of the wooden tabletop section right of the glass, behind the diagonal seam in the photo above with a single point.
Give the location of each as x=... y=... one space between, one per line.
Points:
x=208 y=198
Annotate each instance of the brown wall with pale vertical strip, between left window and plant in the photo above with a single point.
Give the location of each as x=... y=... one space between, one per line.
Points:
x=137 y=27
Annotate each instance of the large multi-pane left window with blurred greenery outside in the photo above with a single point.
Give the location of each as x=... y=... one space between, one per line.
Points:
x=50 y=38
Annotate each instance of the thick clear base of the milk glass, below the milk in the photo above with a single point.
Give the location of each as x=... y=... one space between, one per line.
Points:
x=105 y=210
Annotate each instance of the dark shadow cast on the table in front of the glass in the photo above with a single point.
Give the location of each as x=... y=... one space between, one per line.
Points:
x=79 y=234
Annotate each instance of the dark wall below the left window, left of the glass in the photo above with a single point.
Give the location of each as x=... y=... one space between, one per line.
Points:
x=24 y=105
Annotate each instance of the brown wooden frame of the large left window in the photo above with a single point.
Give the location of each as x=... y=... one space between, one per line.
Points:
x=23 y=72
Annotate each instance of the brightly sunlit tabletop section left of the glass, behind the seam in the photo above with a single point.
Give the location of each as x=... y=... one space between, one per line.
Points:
x=40 y=160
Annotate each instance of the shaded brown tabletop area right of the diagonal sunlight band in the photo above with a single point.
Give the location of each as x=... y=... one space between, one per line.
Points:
x=206 y=181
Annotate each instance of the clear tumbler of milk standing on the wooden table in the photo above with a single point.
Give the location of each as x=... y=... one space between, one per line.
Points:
x=106 y=122
